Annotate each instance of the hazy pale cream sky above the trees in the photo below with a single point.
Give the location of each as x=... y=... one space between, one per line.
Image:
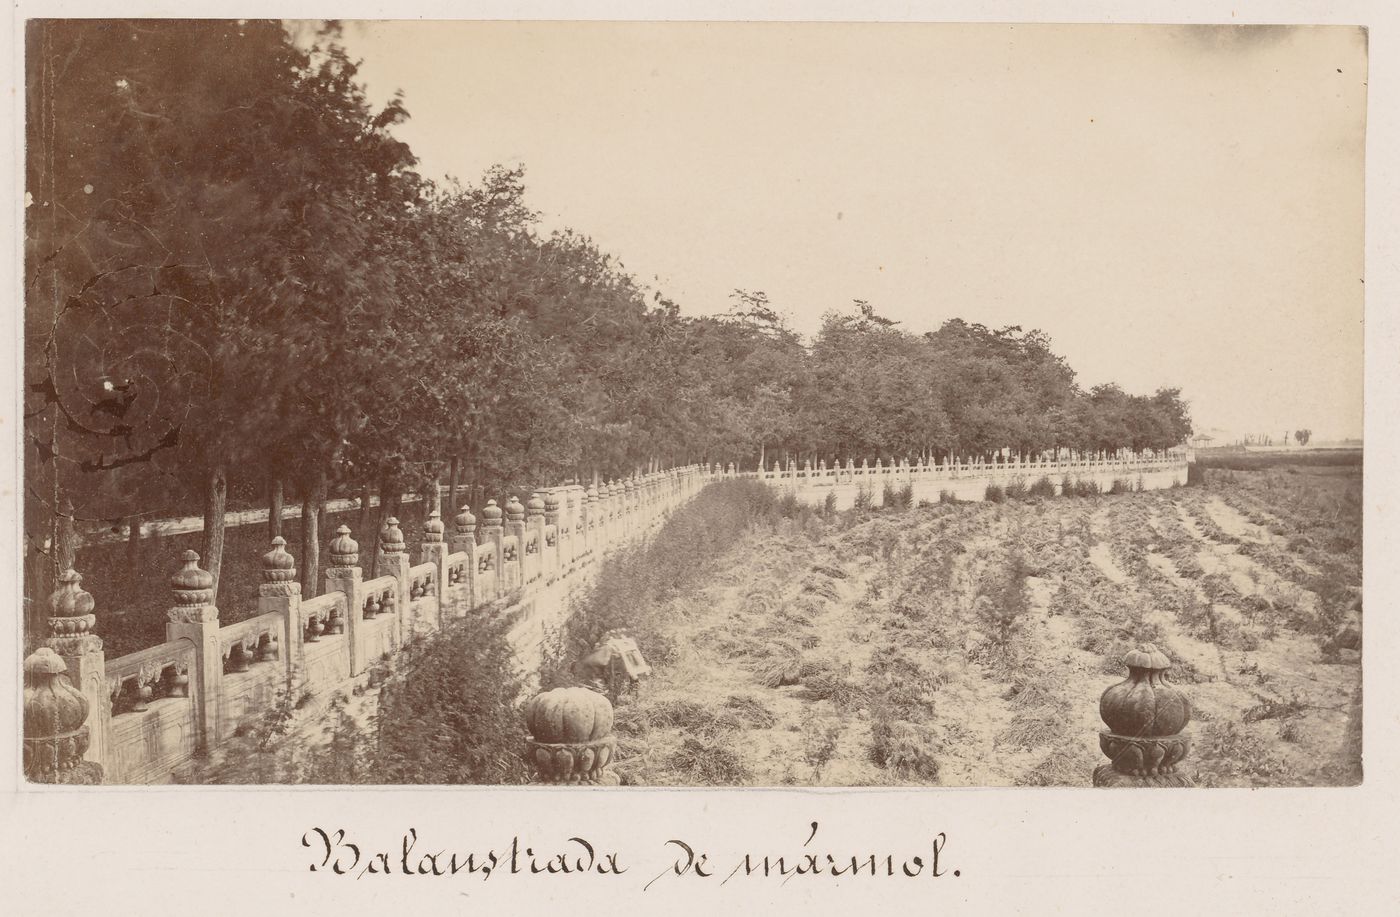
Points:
x=1172 y=205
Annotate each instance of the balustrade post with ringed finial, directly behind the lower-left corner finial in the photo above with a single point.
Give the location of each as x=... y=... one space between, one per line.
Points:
x=72 y=624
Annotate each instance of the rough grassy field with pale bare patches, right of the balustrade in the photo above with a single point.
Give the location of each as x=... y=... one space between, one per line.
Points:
x=968 y=645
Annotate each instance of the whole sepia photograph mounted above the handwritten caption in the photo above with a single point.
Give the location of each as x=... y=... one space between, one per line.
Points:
x=701 y=405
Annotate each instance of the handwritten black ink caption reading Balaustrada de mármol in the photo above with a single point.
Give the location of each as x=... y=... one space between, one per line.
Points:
x=335 y=853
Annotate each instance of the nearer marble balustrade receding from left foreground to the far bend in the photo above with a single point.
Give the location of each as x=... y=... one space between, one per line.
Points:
x=153 y=710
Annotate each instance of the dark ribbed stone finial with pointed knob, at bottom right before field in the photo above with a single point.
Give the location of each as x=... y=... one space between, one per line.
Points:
x=1147 y=717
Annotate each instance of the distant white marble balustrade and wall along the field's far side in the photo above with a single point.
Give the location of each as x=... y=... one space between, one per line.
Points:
x=968 y=481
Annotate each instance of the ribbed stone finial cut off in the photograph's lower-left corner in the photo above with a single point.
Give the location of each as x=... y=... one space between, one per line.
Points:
x=57 y=734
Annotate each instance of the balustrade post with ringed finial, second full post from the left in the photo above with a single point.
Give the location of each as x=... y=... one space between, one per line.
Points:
x=195 y=619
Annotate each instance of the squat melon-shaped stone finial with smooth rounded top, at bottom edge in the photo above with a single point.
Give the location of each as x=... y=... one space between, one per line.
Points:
x=572 y=737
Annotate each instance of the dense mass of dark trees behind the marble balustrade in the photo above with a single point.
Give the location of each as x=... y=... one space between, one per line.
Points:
x=240 y=288
